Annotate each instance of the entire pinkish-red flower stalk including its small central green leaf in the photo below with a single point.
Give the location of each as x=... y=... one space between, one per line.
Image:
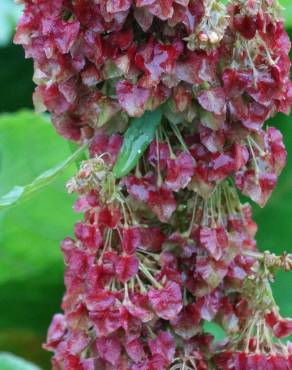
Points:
x=171 y=97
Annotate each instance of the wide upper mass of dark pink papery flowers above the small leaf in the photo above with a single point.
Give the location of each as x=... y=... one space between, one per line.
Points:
x=96 y=64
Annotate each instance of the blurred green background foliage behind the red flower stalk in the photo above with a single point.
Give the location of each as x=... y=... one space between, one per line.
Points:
x=31 y=264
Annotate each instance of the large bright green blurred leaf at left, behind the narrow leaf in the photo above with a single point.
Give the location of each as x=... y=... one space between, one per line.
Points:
x=30 y=233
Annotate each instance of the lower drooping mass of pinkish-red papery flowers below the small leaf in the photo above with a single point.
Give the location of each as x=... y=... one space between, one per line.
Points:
x=137 y=292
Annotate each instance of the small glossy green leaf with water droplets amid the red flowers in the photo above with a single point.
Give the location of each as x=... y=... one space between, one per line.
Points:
x=136 y=140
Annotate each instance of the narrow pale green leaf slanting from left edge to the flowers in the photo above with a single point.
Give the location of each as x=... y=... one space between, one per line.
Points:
x=21 y=193
